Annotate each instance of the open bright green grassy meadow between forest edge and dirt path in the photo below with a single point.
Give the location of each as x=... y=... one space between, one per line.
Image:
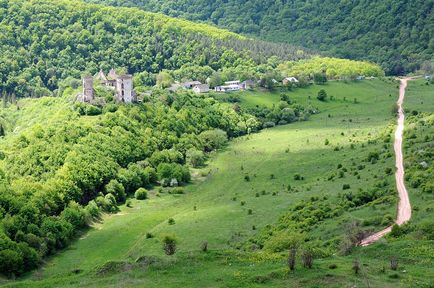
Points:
x=241 y=190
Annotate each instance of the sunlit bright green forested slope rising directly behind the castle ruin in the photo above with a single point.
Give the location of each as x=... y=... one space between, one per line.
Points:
x=46 y=41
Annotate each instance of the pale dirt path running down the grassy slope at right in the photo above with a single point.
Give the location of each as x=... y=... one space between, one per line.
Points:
x=404 y=207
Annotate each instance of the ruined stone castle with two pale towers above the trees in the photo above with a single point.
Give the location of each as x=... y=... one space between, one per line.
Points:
x=121 y=84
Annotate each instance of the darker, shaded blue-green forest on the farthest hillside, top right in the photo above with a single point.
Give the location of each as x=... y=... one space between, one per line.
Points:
x=398 y=35
